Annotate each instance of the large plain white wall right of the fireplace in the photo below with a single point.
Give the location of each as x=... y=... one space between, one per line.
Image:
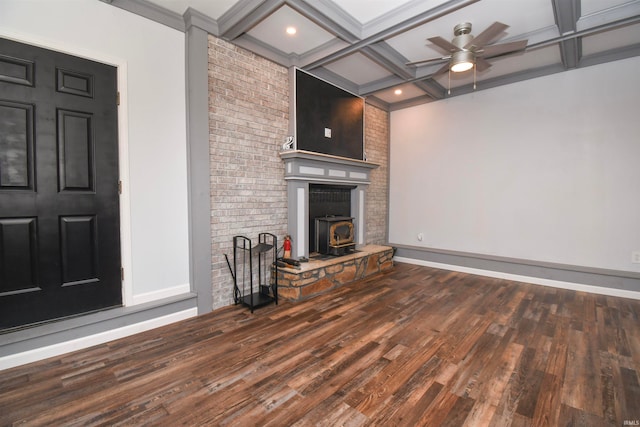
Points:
x=546 y=169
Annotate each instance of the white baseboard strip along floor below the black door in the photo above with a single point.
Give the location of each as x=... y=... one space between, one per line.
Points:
x=34 y=355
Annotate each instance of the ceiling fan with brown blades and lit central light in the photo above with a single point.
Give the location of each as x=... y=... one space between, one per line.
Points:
x=466 y=51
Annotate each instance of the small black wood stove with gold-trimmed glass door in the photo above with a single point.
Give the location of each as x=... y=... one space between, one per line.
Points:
x=334 y=235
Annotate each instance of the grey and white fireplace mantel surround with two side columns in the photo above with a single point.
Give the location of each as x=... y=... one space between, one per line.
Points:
x=305 y=167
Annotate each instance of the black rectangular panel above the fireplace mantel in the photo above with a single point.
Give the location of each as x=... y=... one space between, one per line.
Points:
x=327 y=119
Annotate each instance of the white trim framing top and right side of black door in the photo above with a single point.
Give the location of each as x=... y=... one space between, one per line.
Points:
x=123 y=143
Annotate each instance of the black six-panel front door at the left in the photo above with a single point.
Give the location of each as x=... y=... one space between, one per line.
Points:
x=59 y=213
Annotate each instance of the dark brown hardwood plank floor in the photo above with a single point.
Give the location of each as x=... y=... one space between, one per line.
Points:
x=414 y=346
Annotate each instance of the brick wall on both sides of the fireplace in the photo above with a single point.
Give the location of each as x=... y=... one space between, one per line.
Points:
x=248 y=122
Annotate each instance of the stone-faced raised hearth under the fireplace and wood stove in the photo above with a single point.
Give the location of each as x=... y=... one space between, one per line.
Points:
x=319 y=276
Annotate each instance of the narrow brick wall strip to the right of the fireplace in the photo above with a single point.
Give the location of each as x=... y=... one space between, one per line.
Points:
x=377 y=149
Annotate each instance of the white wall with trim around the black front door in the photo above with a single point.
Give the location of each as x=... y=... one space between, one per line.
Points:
x=151 y=62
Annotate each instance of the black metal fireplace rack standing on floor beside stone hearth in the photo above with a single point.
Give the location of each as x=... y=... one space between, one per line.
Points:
x=266 y=289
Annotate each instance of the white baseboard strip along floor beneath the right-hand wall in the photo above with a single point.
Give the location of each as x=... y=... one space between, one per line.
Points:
x=526 y=279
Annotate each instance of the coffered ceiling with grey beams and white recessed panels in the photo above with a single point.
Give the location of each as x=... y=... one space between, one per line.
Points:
x=364 y=45
